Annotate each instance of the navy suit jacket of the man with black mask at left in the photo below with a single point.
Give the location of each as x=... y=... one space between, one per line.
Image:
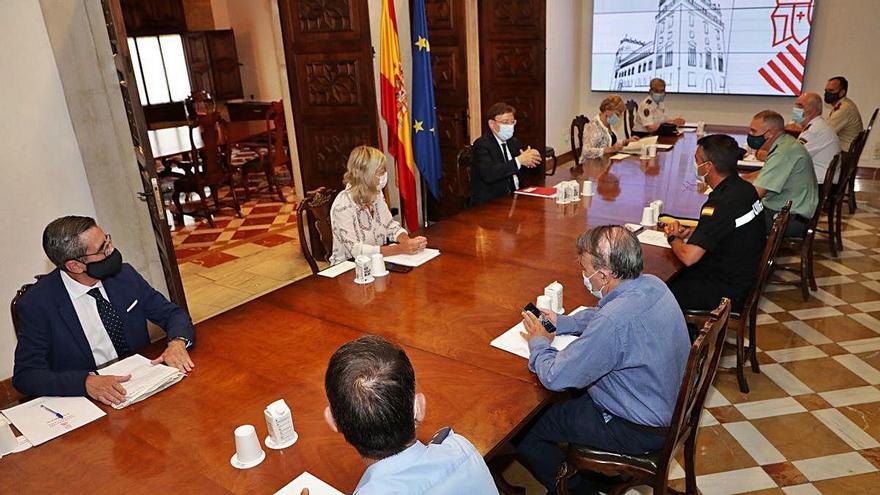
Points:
x=53 y=356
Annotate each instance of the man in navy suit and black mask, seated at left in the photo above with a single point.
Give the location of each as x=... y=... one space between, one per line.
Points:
x=91 y=309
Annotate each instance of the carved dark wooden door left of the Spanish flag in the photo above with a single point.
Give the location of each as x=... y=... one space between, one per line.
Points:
x=330 y=69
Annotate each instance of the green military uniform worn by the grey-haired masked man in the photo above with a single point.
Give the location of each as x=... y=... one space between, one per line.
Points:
x=788 y=175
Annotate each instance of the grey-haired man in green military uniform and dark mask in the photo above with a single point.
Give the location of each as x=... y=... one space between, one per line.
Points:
x=787 y=174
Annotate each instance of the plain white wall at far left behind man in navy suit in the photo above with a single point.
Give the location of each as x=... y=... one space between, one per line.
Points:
x=42 y=170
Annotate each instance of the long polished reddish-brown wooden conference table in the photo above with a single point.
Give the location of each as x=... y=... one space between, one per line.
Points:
x=495 y=258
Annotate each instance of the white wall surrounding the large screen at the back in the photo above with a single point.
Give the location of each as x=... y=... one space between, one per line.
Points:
x=844 y=41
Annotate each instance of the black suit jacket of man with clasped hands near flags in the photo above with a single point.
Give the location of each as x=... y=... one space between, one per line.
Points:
x=491 y=174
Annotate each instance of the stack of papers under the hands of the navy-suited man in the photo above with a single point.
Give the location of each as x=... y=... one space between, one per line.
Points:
x=146 y=379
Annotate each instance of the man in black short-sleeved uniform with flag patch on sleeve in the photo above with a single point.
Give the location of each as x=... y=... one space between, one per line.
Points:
x=723 y=251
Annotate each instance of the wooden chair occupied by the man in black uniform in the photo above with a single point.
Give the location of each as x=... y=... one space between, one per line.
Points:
x=747 y=318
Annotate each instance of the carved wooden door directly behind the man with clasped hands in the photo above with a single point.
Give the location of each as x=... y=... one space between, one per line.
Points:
x=512 y=65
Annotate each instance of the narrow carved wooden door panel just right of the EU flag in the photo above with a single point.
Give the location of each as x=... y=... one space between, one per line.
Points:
x=446 y=32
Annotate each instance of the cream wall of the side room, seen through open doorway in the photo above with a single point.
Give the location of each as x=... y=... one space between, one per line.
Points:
x=252 y=22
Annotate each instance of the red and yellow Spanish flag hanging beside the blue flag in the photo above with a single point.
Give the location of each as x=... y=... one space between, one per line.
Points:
x=395 y=112
